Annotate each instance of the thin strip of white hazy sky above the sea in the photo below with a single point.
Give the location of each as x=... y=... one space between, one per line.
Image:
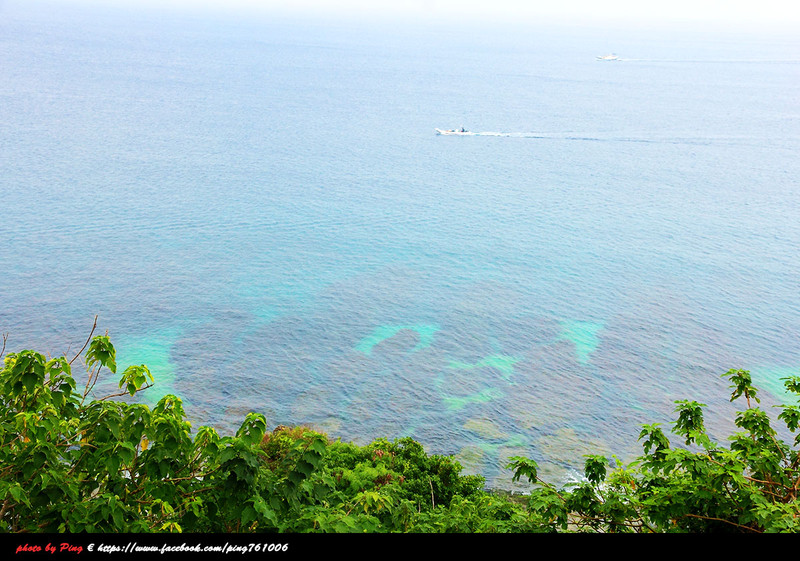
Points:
x=695 y=12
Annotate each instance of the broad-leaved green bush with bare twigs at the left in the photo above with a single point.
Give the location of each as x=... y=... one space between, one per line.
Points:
x=68 y=463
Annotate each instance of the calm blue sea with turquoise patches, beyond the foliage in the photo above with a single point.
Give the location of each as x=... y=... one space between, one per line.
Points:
x=261 y=212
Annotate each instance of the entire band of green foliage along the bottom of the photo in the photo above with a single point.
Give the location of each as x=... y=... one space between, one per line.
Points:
x=72 y=462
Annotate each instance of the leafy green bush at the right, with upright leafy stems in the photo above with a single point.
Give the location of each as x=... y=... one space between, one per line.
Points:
x=701 y=486
